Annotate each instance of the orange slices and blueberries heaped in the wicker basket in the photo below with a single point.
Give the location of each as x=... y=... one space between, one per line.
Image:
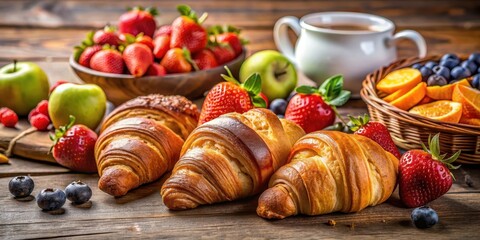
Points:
x=447 y=91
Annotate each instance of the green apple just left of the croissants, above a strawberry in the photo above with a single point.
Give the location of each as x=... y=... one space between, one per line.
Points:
x=86 y=102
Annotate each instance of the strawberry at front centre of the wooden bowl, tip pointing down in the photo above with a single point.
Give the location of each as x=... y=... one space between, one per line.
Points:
x=138 y=57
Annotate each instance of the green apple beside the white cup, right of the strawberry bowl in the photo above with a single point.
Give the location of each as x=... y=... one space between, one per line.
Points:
x=278 y=74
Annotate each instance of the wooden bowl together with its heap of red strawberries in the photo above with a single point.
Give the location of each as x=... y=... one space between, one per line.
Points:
x=138 y=58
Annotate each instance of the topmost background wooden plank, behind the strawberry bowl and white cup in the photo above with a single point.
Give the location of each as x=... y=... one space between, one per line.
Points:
x=257 y=14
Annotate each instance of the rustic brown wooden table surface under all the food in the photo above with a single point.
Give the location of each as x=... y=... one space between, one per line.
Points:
x=46 y=31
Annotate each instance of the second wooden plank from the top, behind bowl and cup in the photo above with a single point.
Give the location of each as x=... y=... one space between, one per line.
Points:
x=39 y=43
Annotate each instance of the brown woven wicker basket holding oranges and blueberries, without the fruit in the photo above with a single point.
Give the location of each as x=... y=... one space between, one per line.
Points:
x=408 y=130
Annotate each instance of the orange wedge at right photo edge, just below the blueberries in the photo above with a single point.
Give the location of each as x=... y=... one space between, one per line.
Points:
x=469 y=98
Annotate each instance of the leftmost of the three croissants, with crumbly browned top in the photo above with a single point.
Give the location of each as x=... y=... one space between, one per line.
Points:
x=141 y=140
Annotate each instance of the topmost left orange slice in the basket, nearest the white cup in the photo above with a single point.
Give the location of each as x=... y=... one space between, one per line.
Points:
x=399 y=79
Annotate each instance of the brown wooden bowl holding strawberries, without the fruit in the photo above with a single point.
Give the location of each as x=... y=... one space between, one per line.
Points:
x=120 y=88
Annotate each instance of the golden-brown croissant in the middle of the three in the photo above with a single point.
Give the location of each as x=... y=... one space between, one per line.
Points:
x=228 y=158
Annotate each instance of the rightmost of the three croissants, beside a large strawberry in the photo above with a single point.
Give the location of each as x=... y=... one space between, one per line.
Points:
x=328 y=172
